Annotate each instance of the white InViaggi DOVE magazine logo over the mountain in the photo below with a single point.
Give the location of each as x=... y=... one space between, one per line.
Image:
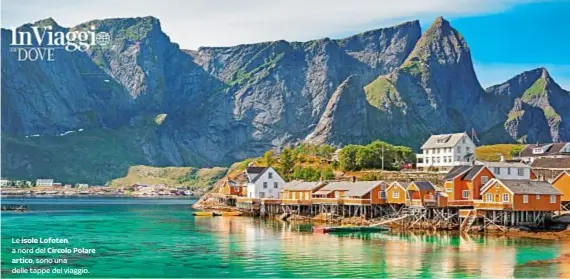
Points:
x=40 y=43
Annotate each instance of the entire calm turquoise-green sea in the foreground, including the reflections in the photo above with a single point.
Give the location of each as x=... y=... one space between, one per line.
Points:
x=161 y=238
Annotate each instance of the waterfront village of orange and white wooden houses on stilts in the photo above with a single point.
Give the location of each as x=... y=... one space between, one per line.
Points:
x=530 y=189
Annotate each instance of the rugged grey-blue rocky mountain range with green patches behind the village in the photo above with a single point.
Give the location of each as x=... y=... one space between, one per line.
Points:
x=142 y=100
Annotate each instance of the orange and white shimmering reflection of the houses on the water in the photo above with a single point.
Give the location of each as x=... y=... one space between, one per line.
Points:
x=274 y=248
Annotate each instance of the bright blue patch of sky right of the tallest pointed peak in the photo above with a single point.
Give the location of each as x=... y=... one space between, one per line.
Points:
x=523 y=37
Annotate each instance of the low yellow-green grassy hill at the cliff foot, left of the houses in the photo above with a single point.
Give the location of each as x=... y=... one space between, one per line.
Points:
x=172 y=176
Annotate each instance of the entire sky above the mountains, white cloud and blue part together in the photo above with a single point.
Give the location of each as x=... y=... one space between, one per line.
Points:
x=506 y=37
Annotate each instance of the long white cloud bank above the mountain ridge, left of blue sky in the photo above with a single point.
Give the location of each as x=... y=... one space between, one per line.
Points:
x=229 y=22
